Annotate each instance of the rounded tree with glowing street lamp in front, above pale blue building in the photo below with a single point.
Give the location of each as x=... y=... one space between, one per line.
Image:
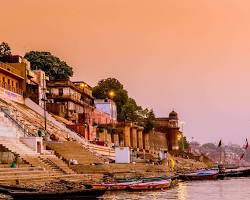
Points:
x=104 y=86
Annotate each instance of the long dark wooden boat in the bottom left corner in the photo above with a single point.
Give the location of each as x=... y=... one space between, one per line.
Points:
x=70 y=194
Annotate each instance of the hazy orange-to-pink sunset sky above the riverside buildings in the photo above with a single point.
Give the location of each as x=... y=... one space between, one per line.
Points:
x=190 y=55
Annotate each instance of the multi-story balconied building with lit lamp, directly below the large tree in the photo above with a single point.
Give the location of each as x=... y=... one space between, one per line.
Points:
x=70 y=100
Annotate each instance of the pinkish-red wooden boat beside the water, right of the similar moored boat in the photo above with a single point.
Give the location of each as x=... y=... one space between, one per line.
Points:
x=151 y=185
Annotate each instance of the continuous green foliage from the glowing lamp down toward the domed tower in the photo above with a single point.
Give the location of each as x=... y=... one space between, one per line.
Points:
x=127 y=108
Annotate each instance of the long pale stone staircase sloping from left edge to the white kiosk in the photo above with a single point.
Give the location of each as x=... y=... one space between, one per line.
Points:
x=32 y=121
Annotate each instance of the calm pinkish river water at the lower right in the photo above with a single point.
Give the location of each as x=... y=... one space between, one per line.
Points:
x=227 y=189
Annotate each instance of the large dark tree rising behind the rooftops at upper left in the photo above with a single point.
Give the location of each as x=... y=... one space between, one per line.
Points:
x=55 y=68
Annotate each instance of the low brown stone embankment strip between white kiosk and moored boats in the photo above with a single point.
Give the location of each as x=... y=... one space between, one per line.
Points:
x=113 y=171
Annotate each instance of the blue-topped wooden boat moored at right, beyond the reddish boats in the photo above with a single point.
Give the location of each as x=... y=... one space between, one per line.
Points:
x=209 y=174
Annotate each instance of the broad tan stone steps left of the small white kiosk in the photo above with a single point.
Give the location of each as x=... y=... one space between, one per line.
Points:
x=72 y=150
